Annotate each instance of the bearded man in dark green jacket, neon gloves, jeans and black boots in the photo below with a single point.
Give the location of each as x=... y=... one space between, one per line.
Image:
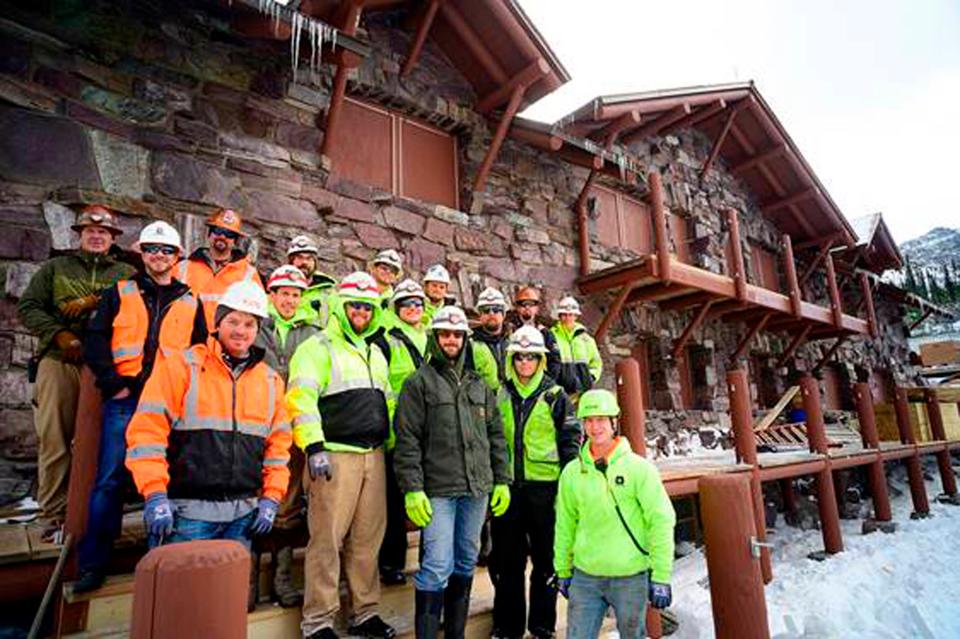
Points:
x=450 y=457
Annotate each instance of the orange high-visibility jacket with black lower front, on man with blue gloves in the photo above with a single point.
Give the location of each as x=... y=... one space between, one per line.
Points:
x=203 y=432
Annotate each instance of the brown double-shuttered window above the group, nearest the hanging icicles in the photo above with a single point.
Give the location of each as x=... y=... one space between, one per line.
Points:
x=390 y=151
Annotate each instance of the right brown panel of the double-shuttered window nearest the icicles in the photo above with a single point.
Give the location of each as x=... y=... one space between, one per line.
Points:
x=428 y=164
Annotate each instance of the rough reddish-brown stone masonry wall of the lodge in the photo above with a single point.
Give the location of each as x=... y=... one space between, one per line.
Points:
x=164 y=113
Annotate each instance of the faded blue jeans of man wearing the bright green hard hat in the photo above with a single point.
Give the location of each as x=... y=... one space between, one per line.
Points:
x=590 y=596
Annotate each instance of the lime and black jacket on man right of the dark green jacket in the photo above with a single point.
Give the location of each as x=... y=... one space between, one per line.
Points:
x=538 y=421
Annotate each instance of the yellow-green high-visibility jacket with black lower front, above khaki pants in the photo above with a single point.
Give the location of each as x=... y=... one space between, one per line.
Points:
x=339 y=386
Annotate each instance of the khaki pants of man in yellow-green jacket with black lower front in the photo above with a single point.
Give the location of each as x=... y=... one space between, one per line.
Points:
x=347 y=518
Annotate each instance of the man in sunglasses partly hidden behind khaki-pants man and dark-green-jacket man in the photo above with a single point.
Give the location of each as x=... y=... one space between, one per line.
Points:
x=404 y=344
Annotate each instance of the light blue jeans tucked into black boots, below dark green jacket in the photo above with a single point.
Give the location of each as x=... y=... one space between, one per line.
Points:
x=451 y=541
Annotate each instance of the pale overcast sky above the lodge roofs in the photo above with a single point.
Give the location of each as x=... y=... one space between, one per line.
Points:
x=868 y=90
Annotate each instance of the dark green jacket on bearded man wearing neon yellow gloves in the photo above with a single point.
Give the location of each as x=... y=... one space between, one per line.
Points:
x=449 y=434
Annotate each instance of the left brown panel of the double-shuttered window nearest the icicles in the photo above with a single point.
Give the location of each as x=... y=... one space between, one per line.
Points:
x=362 y=147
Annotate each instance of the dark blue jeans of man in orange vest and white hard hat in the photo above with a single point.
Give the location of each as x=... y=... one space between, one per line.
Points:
x=105 y=516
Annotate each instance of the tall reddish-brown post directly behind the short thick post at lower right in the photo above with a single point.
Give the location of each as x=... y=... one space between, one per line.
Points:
x=746 y=443
